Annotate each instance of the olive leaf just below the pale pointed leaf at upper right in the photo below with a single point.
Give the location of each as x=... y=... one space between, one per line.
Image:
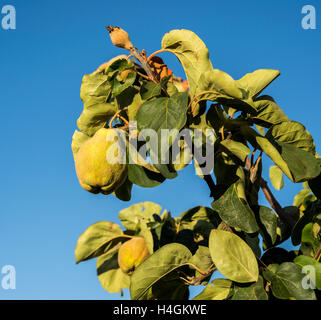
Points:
x=268 y=112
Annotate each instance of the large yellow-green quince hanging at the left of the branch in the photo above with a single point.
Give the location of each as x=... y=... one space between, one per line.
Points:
x=95 y=172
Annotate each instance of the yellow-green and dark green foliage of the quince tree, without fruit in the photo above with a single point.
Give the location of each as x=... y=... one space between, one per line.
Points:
x=188 y=250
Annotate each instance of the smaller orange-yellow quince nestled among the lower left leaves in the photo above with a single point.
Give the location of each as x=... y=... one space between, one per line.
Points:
x=131 y=254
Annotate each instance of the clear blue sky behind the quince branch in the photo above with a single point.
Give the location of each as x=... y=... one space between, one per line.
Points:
x=43 y=209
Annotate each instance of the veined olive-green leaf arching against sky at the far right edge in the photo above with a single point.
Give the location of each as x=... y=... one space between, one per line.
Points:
x=292 y=133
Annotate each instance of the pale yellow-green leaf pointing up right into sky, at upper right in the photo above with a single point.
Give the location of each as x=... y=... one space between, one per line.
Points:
x=257 y=81
